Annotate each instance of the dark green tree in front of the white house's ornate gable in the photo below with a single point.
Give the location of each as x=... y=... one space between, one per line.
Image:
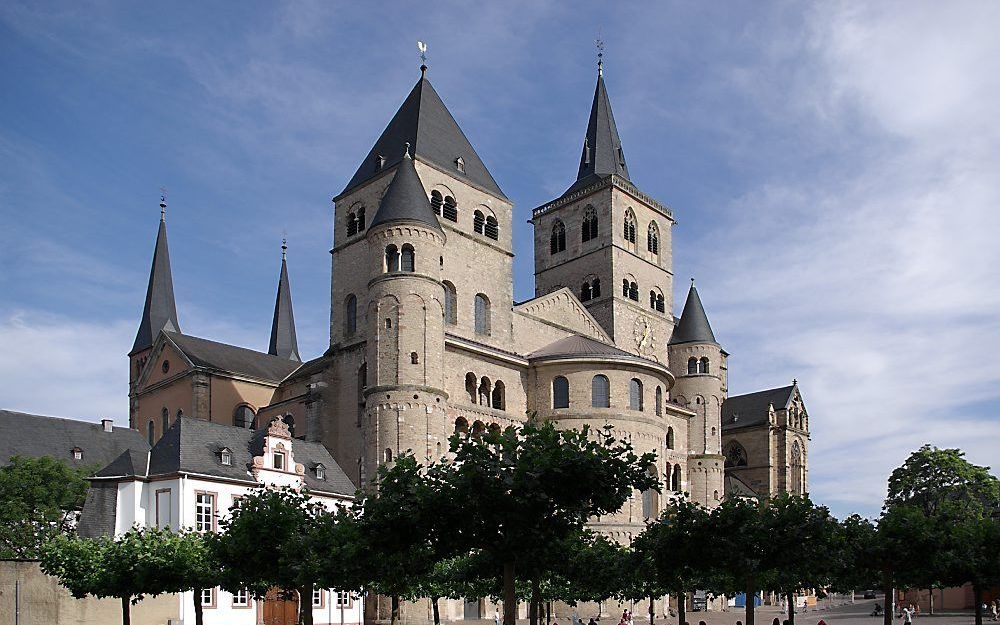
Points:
x=284 y=520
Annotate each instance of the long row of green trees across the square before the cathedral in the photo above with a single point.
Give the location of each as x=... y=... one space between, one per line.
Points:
x=506 y=517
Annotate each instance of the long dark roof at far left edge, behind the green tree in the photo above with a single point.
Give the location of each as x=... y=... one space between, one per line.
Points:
x=34 y=436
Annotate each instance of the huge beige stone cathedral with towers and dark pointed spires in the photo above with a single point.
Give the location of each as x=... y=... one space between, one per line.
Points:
x=426 y=338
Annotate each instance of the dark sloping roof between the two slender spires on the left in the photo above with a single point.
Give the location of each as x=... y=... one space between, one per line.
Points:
x=232 y=359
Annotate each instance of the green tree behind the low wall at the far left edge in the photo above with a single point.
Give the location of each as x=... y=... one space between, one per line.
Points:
x=41 y=498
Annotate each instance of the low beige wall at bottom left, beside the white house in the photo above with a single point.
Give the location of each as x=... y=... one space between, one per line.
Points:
x=30 y=597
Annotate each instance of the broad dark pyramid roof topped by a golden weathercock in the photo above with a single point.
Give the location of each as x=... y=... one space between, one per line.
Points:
x=425 y=123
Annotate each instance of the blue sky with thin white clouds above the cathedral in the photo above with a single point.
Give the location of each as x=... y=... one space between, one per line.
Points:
x=833 y=168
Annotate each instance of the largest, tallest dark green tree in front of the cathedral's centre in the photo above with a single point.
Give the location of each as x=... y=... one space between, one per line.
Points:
x=512 y=494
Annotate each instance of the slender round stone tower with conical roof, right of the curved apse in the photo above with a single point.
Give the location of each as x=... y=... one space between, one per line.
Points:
x=699 y=364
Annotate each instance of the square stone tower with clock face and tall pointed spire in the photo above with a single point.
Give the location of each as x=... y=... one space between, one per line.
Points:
x=609 y=242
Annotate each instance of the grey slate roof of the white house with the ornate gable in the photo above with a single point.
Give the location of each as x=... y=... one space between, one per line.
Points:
x=192 y=445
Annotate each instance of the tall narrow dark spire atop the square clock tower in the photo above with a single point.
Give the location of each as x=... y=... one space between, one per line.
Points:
x=602 y=147
